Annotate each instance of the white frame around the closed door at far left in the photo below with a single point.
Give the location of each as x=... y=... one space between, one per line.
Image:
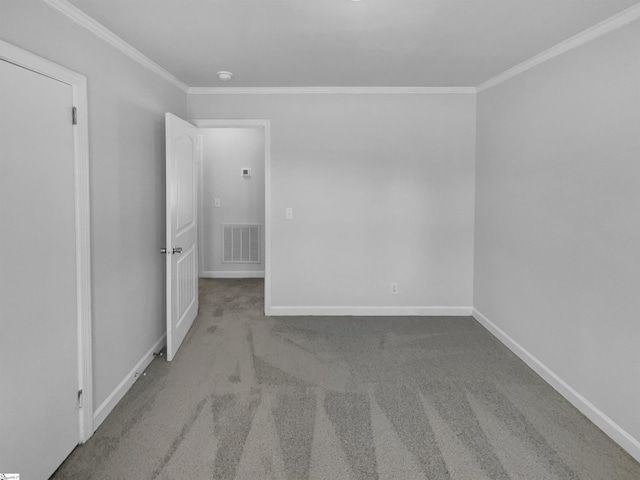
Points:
x=30 y=61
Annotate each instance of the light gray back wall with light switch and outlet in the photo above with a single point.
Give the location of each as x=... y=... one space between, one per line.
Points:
x=382 y=190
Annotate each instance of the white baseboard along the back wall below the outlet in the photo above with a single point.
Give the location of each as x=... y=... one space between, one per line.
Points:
x=371 y=311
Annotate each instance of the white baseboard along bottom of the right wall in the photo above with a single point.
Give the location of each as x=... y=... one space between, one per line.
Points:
x=602 y=421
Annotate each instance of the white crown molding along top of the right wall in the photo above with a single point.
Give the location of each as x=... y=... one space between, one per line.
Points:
x=591 y=33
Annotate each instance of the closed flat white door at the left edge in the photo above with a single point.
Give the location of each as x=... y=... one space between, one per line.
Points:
x=39 y=416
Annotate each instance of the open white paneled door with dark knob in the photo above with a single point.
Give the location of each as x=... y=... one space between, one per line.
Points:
x=182 y=230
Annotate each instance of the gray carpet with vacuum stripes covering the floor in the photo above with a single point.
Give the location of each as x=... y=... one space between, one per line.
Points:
x=297 y=398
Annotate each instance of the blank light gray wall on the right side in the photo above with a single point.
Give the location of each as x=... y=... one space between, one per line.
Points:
x=557 y=260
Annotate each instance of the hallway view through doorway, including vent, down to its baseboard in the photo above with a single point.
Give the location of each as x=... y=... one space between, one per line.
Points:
x=232 y=202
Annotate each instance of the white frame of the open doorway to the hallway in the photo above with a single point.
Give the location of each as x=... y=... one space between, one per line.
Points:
x=248 y=123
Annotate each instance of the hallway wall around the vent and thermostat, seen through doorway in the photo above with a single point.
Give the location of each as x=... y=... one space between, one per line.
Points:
x=225 y=152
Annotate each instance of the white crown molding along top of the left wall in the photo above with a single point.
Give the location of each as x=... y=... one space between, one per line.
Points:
x=100 y=31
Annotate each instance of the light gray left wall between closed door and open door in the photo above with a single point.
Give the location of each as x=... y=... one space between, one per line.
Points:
x=126 y=141
